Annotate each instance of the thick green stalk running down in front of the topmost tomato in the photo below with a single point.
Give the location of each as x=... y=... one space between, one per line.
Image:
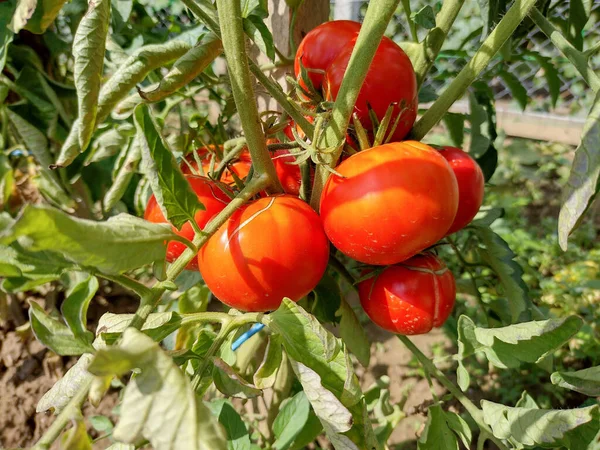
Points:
x=376 y=21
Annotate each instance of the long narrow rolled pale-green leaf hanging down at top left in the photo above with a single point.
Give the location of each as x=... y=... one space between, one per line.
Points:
x=88 y=53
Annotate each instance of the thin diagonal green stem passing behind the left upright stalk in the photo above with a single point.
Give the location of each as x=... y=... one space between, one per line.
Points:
x=204 y=13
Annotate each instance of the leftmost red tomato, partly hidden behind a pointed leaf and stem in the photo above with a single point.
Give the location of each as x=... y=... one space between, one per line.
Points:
x=213 y=199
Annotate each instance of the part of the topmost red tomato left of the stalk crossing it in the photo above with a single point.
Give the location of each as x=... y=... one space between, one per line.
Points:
x=320 y=47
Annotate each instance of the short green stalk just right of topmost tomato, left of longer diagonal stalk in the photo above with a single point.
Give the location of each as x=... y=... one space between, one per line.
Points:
x=427 y=51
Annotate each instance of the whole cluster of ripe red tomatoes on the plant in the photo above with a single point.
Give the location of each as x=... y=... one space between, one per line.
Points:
x=384 y=208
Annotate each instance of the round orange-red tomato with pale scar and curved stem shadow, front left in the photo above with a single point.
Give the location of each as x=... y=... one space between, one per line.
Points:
x=271 y=248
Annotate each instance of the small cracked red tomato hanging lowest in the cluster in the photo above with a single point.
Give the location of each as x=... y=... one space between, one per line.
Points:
x=411 y=297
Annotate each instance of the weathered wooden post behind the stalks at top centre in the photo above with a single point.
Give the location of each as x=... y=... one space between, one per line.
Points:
x=310 y=14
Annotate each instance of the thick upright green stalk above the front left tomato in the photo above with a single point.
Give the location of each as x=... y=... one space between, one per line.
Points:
x=234 y=44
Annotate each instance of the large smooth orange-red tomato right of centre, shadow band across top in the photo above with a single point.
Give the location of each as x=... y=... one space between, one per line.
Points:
x=392 y=202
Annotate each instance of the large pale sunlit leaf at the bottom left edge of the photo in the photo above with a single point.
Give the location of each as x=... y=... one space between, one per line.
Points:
x=160 y=390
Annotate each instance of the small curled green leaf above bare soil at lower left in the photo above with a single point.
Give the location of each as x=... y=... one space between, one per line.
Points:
x=54 y=334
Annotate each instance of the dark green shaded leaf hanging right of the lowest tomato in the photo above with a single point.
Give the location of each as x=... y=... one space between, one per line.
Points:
x=500 y=257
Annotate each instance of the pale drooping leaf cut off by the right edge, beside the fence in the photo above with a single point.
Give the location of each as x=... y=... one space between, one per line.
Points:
x=584 y=178
